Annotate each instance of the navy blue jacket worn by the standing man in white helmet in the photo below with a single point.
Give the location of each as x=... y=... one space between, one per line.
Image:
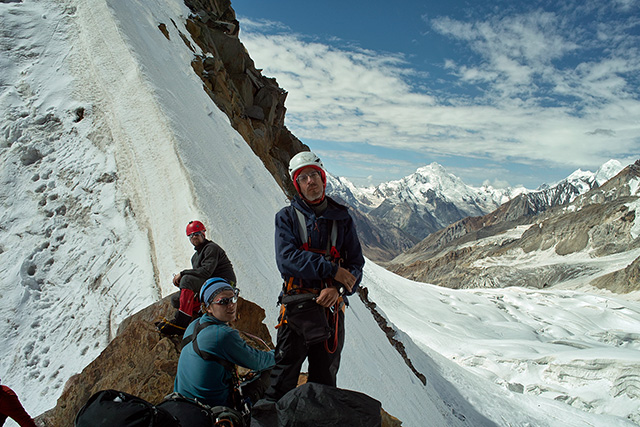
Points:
x=308 y=268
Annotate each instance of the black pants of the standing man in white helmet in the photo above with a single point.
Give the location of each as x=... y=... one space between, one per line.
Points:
x=291 y=352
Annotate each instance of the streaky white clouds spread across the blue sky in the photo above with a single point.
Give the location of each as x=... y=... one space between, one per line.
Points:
x=530 y=109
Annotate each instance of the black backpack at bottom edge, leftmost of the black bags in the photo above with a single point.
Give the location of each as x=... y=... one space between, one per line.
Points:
x=111 y=408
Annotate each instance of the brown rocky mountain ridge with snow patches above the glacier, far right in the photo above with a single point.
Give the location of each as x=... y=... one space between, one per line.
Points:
x=594 y=238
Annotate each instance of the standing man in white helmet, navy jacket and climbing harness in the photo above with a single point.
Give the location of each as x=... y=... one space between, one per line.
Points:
x=319 y=256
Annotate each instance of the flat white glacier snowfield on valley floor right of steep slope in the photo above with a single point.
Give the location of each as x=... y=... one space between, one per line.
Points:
x=562 y=346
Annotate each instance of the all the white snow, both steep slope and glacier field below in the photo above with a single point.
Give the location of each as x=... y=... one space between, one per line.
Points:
x=109 y=146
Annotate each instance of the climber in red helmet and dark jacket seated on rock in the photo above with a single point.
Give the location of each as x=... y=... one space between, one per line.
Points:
x=210 y=260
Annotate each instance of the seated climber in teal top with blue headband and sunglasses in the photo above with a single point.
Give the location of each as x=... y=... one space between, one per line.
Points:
x=212 y=349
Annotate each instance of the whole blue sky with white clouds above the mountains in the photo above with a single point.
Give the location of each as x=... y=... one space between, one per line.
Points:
x=502 y=92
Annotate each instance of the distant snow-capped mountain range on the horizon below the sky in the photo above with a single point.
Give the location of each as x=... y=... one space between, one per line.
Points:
x=394 y=216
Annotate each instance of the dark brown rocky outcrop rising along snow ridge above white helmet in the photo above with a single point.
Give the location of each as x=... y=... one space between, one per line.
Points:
x=253 y=102
